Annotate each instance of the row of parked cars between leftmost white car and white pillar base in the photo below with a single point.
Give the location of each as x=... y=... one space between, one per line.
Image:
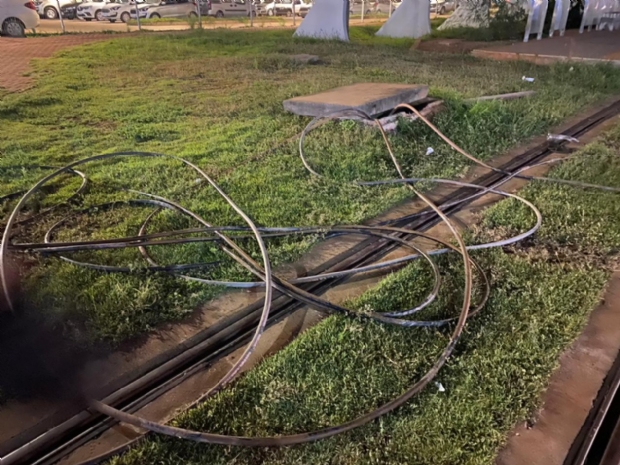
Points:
x=124 y=10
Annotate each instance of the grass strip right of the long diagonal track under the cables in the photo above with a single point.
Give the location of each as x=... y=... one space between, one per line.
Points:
x=542 y=293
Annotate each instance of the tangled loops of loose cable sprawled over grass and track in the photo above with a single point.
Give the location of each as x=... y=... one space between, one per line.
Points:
x=268 y=280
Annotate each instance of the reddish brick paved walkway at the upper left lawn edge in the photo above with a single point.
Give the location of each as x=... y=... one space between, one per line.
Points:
x=15 y=56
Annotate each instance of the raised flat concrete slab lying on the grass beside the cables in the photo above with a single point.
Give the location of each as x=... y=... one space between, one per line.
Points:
x=373 y=98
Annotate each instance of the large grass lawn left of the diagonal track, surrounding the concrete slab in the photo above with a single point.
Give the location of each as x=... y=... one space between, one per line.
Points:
x=215 y=97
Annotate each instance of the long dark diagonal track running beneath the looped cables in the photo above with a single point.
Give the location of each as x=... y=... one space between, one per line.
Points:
x=50 y=442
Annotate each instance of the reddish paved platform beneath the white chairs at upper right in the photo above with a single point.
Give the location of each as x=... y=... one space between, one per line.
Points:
x=589 y=47
